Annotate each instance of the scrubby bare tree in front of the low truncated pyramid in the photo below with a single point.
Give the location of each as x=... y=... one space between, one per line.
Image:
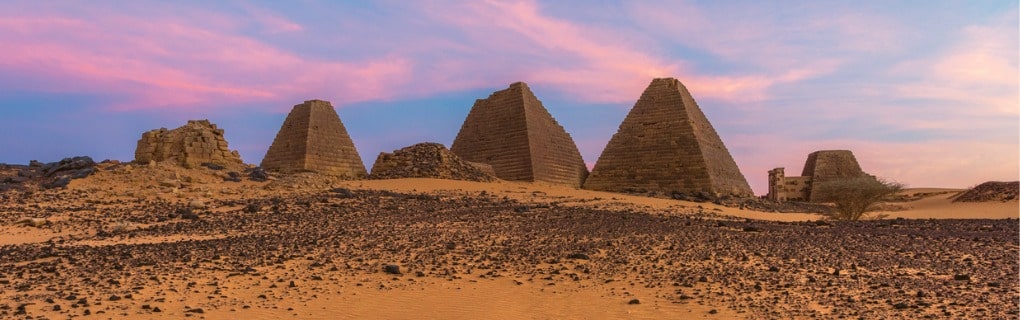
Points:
x=854 y=198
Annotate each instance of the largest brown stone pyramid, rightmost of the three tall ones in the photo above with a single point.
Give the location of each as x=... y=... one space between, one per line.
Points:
x=668 y=145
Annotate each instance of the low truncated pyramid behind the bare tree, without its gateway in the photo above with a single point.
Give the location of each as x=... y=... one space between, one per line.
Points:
x=828 y=166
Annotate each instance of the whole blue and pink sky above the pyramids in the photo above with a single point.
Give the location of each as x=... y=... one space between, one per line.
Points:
x=925 y=93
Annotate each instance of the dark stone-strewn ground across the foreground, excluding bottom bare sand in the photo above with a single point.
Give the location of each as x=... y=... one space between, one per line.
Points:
x=111 y=251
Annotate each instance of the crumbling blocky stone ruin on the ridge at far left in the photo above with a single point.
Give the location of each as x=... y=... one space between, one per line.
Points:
x=194 y=144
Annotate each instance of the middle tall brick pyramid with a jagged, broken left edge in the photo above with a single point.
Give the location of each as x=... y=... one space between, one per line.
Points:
x=516 y=135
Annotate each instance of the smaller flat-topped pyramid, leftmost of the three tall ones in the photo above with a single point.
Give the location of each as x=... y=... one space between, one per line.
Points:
x=314 y=139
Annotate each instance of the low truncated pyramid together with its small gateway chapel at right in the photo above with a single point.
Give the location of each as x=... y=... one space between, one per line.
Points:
x=822 y=167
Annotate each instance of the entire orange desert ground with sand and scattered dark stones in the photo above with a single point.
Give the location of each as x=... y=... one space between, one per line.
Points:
x=138 y=242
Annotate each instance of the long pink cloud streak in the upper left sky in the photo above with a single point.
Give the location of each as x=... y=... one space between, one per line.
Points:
x=167 y=63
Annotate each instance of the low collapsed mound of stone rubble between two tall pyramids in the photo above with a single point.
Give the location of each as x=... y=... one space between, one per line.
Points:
x=429 y=161
